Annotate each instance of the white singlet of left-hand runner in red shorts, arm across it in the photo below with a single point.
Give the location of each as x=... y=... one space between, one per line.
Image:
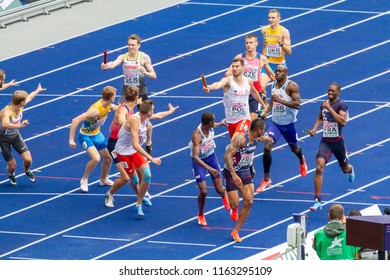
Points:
x=124 y=145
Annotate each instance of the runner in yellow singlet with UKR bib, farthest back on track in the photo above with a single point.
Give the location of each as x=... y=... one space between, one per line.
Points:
x=276 y=45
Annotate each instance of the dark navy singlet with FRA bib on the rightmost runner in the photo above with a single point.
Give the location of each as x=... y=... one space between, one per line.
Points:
x=332 y=130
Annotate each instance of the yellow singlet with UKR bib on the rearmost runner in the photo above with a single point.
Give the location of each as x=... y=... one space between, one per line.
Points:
x=273 y=51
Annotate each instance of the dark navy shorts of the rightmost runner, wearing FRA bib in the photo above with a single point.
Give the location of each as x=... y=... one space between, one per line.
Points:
x=326 y=149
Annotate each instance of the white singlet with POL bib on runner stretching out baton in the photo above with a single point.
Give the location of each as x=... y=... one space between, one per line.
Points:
x=236 y=101
